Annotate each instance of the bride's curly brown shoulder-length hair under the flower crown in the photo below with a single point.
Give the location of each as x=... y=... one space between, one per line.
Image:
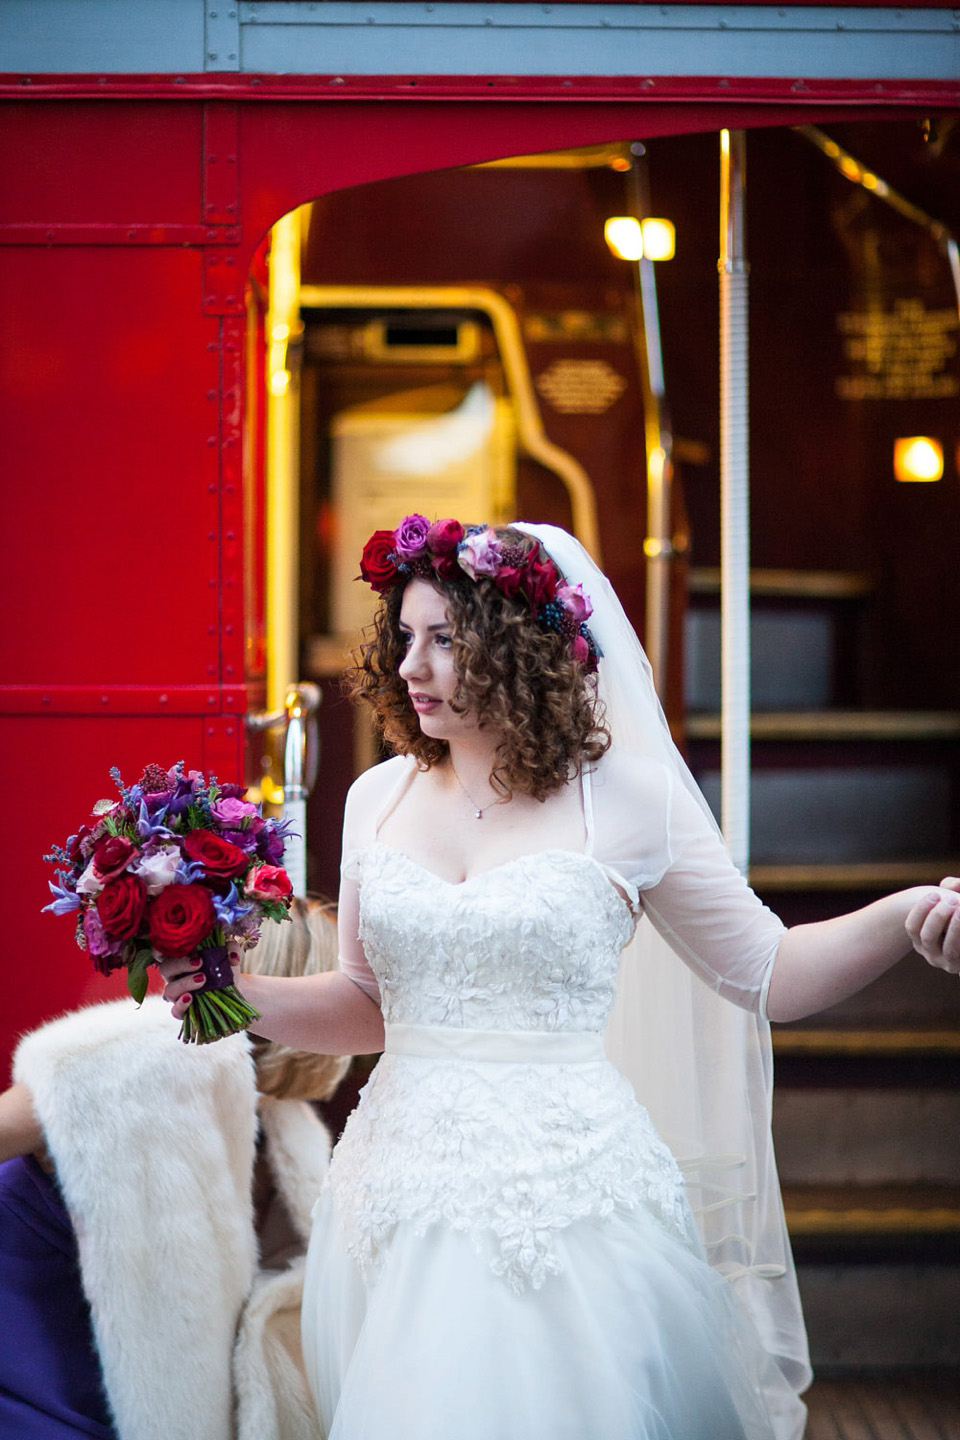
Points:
x=513 y=675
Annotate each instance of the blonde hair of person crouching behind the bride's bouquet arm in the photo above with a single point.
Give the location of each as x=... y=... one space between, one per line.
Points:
x=303 y=945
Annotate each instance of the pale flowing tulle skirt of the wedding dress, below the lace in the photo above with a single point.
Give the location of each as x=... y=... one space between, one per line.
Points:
x=635 y=1338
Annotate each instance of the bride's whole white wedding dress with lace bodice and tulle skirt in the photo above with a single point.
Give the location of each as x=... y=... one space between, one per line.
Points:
x=504 y=1248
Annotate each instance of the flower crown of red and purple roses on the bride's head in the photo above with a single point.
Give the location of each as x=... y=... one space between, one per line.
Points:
x=447 y=549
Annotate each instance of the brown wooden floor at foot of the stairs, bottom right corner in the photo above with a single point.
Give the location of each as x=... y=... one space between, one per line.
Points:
x=895 y=1408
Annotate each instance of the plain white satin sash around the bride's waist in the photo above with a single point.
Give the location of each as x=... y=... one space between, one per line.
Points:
x=530 y=1048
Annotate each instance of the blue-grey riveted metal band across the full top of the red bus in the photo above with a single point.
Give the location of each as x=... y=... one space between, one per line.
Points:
x=466 y=38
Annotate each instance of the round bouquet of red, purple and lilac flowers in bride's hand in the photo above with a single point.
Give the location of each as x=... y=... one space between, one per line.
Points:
x=176 y=868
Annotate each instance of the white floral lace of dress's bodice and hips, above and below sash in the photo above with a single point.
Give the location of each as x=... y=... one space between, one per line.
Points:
x=506 y=1151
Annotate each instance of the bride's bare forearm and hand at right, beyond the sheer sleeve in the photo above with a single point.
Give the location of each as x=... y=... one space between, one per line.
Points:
x=824 y=963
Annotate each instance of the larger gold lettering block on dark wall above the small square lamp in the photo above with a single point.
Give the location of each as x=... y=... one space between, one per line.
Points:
x=899 y=355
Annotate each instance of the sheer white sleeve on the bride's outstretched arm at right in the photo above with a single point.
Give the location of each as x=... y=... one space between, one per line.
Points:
x=657 y=842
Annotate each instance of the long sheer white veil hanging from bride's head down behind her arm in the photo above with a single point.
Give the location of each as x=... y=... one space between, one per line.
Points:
x=702 y=1066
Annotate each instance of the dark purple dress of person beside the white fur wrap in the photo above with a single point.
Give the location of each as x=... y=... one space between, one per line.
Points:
x=51 y=1382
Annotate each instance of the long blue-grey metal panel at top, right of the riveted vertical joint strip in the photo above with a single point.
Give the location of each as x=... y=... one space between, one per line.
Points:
x=589 y=40
